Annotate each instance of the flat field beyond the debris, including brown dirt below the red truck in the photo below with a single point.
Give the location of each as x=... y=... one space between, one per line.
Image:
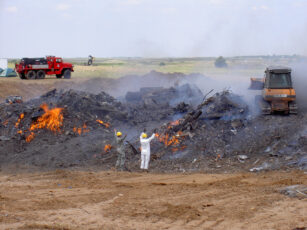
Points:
x=238 y=68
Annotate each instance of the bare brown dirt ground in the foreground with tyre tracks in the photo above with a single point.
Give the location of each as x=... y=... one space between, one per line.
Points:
x=113 y=200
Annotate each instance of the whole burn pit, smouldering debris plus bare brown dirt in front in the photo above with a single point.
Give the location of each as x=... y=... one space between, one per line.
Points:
x=215 y=161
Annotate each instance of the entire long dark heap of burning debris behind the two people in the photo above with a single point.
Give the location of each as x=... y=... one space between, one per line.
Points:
x=73 y=128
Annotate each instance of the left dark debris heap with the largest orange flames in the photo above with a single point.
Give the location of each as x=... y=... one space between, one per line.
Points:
x=68 y=128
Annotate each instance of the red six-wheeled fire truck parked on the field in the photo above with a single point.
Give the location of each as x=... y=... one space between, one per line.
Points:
x=38 y=68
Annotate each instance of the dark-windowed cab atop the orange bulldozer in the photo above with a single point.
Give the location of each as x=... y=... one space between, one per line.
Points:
x=278 y=78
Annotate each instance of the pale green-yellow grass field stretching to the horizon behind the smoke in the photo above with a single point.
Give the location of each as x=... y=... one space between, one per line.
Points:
x=118 y=67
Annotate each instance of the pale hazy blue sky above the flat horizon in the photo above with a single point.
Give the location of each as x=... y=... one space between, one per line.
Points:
x=152 y=28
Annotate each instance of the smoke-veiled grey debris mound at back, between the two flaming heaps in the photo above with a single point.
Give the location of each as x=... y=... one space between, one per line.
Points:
x=157 y=103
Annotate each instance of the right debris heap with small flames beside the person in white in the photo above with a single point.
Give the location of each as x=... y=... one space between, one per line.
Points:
x=194 y=133
